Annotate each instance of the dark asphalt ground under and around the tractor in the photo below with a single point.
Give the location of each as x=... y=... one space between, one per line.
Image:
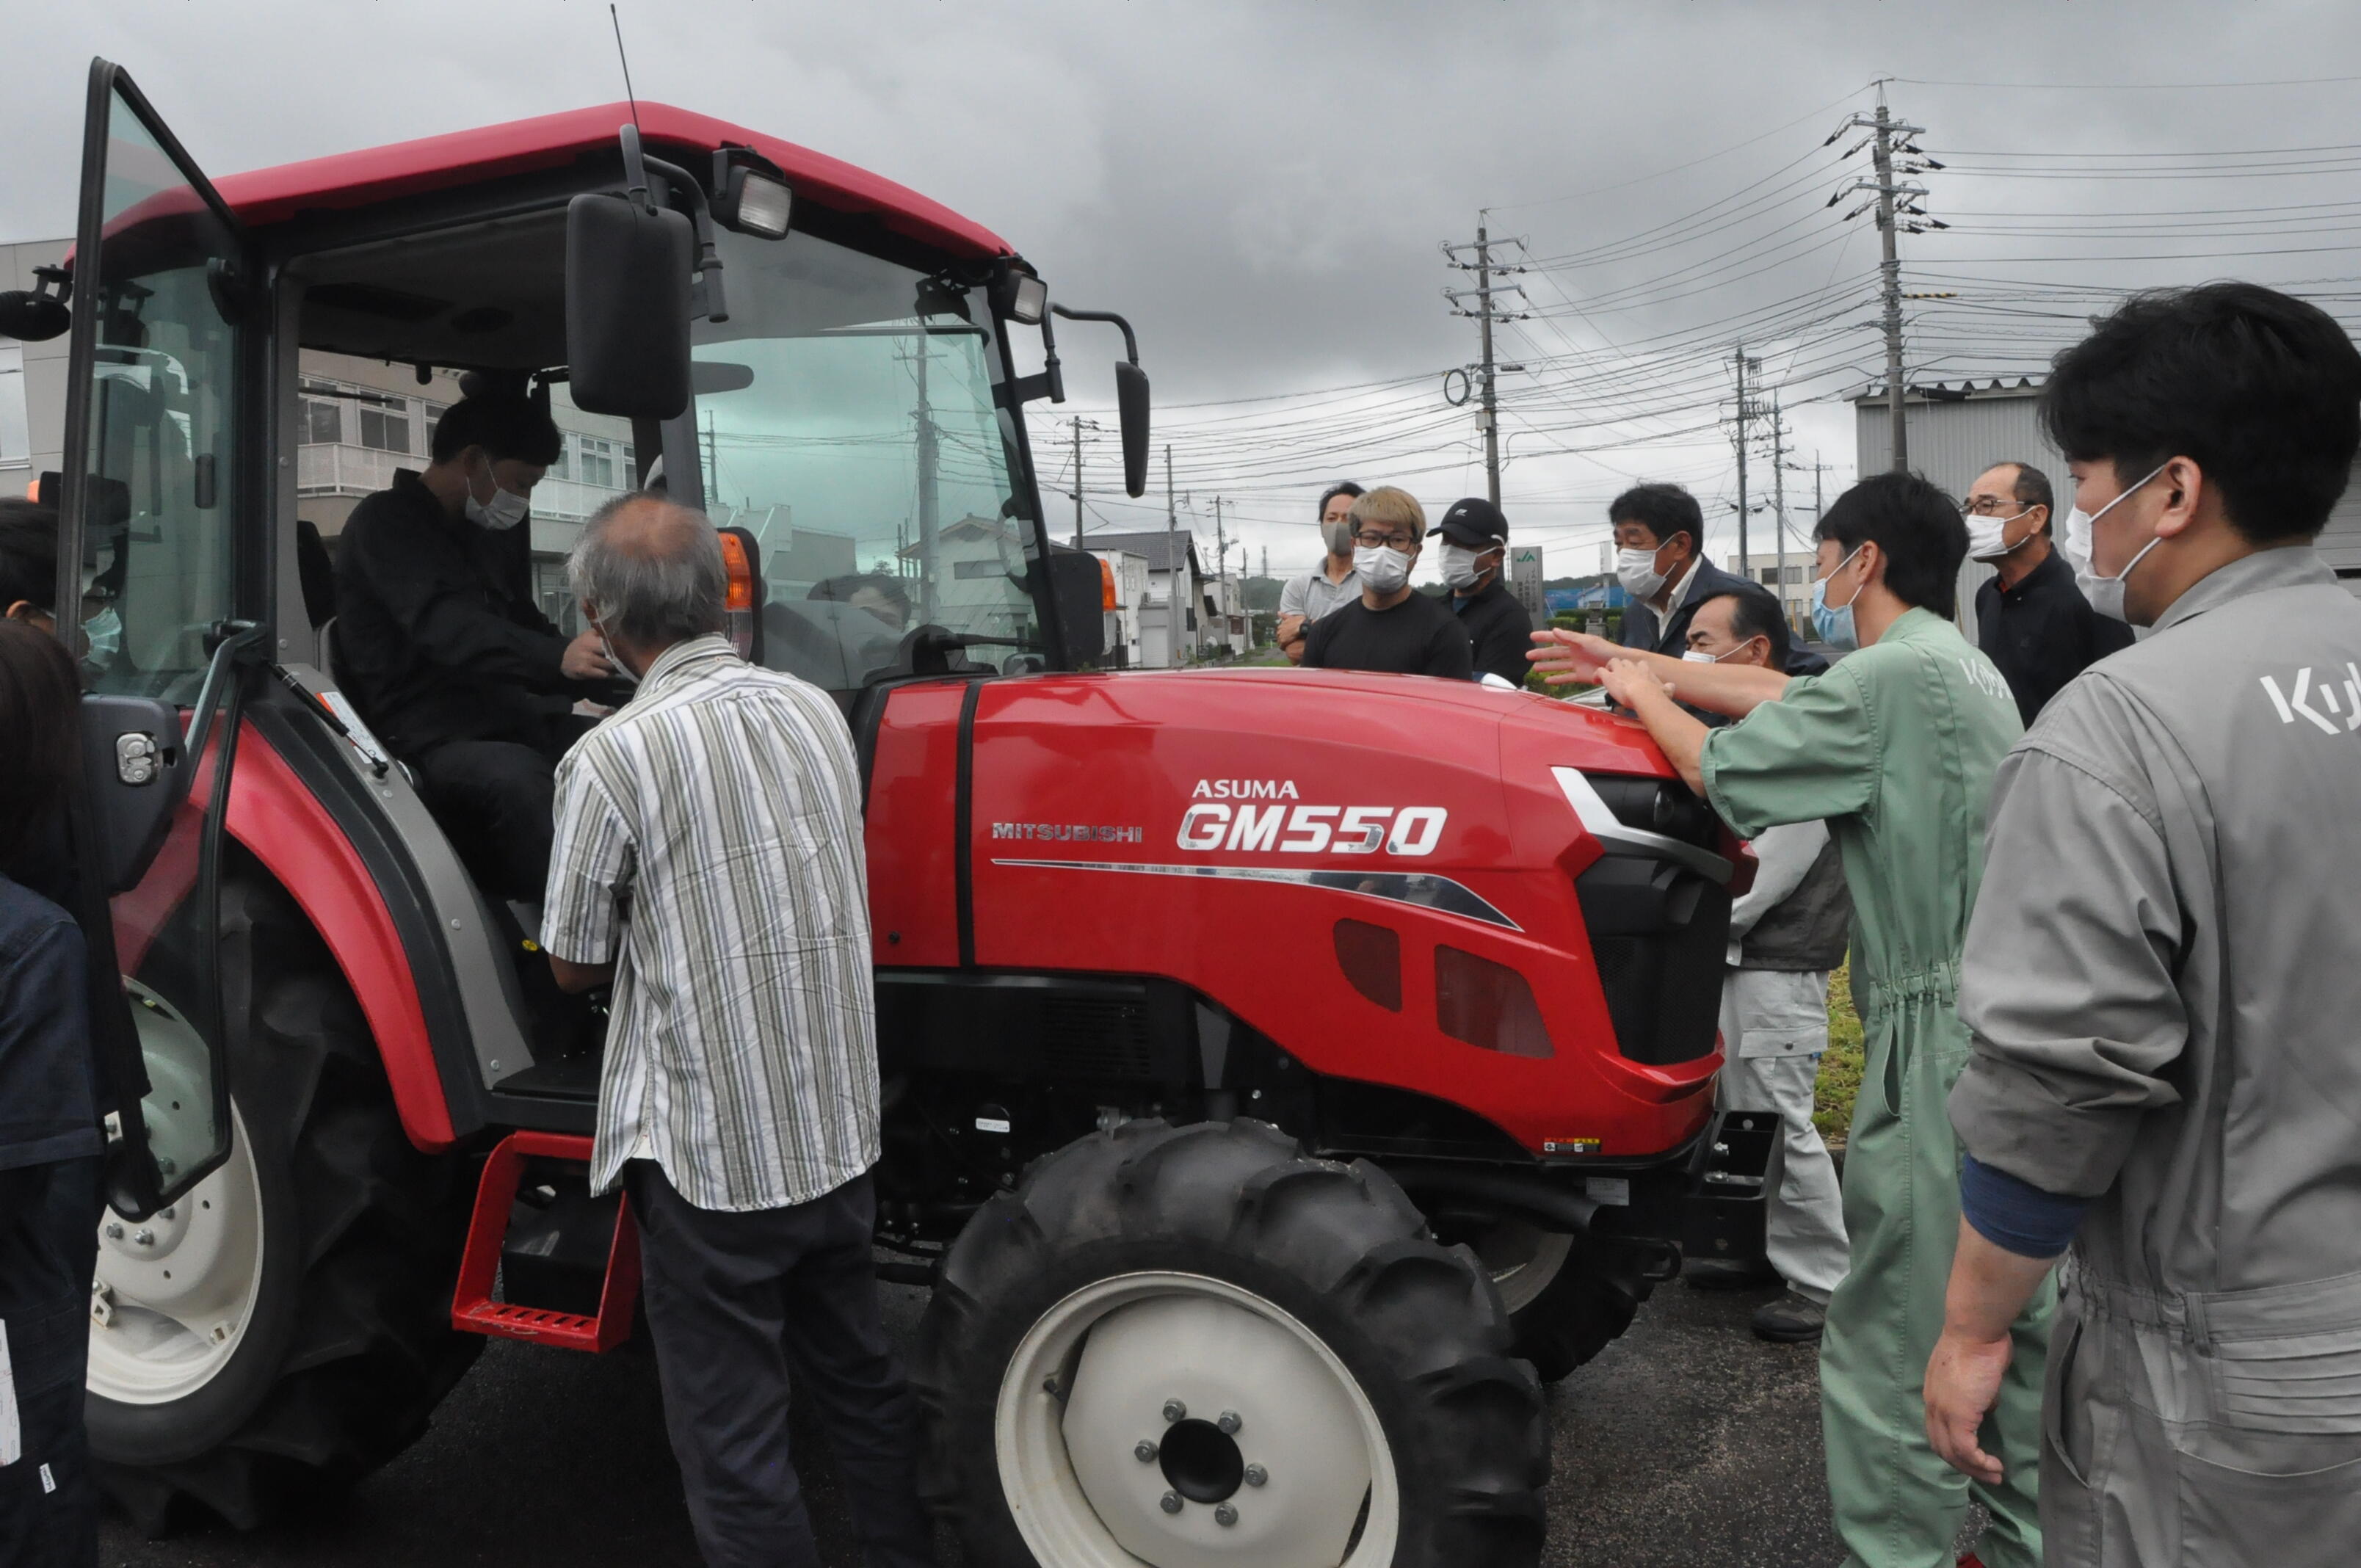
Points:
x=1685 y=1444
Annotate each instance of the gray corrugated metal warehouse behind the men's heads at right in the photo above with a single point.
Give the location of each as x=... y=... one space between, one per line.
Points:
x=1956 y=433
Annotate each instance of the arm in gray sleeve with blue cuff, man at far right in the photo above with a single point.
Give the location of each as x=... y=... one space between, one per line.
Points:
x=2067 y=991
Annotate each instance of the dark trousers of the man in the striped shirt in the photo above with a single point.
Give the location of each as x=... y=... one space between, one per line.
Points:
x=743 y=1302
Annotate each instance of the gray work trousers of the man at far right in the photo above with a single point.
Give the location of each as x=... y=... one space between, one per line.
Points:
x=2164 y=1453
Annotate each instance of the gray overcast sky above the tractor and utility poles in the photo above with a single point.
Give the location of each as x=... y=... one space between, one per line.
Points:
x=1264 y=190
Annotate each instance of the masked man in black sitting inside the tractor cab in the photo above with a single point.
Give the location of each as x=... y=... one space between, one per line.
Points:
x=447 y=655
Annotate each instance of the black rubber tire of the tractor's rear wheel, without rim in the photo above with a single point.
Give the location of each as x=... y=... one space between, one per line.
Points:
x=351 y=1345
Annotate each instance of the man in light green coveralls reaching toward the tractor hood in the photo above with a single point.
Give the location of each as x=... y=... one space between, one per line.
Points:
x=1895 y=750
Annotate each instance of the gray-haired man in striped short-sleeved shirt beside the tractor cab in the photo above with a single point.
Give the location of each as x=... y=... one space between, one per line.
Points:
x=709 y=865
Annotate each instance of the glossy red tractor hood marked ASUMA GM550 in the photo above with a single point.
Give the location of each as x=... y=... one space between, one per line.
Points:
x=1264 y=837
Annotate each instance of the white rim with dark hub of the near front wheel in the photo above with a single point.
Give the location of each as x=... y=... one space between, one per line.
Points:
x=1116 y=1352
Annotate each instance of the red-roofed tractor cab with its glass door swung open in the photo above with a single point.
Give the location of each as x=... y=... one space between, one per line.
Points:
x=825 y=362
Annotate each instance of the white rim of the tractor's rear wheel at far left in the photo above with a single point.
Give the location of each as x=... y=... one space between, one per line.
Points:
x=174 y=1293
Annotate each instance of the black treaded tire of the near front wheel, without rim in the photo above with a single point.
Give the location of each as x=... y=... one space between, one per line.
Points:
x=1338 y=1248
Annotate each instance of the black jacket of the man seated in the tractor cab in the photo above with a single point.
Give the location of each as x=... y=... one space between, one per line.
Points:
x=438 y=632
